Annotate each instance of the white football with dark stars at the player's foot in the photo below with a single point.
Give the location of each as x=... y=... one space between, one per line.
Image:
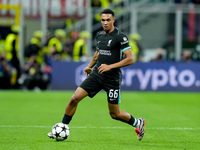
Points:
x=60 y=131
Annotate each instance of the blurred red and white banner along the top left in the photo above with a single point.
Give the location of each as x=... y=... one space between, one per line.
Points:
x=55 y=8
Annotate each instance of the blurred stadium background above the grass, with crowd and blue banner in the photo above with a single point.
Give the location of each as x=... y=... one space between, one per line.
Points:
x=53 y=40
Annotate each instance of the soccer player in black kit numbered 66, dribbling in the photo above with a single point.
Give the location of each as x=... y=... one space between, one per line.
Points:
x=106 y=75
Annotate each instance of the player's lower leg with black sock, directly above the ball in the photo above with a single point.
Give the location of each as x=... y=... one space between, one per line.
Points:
x=70 y=109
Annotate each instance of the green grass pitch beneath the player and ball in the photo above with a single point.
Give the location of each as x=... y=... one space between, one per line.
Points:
x=172 y=121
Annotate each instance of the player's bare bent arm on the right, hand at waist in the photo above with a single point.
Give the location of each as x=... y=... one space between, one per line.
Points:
x=125 y=62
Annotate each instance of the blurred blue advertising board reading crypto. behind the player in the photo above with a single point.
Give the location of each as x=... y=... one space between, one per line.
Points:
x=137 y=77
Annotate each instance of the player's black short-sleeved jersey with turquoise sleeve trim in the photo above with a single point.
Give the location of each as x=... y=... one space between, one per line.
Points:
x=110 y=49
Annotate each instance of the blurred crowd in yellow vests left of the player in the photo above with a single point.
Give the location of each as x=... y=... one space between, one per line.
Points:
x=35 y=73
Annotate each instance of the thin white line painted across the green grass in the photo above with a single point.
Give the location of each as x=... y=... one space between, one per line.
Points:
x=104 y=127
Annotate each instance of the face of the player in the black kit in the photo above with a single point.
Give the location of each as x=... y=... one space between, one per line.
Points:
x=107 y=21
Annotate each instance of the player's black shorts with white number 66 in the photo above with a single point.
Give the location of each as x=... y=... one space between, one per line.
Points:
x=93 y=84
